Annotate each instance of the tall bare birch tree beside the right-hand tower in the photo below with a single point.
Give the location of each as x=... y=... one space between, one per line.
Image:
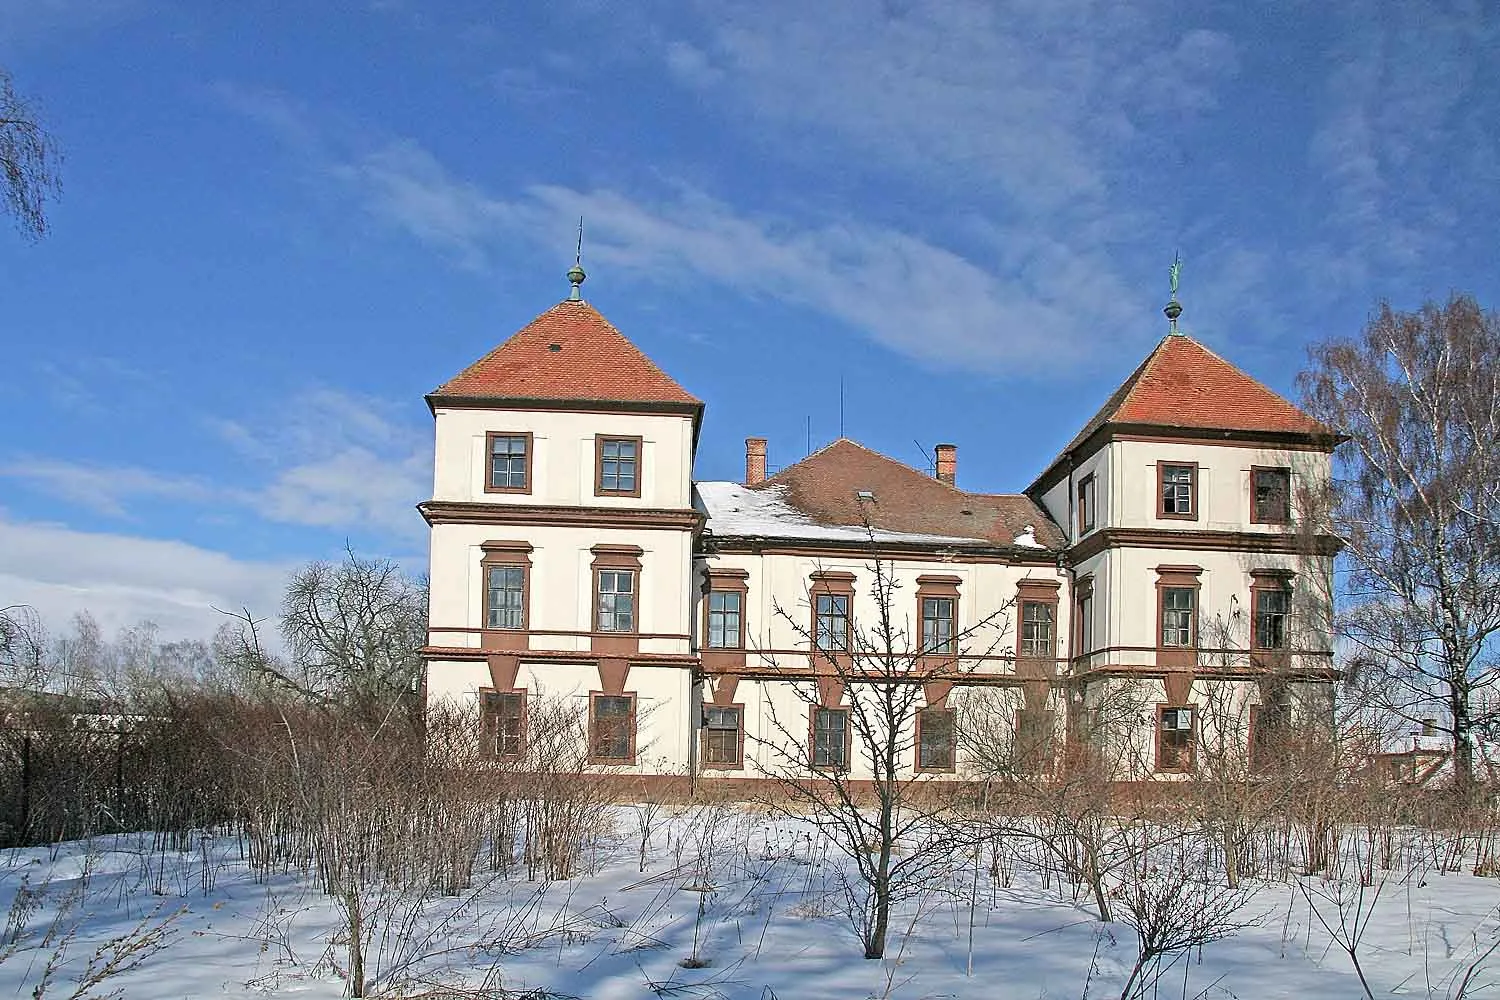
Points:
x=1420 y=506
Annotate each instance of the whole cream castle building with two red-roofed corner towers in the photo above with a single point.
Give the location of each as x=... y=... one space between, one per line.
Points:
x=1162 y=587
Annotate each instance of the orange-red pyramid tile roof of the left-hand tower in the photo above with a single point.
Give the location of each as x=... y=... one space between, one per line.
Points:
x=569 y=353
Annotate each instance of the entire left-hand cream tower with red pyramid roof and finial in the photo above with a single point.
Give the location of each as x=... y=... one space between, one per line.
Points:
x=562 y=537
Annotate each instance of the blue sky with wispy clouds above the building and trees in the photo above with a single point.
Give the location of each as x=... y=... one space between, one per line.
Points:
x=284 y=223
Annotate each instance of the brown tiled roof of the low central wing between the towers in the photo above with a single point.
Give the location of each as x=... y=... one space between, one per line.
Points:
x=826 y=487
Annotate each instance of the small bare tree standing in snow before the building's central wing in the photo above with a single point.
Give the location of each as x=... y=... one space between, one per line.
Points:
x=890 y=819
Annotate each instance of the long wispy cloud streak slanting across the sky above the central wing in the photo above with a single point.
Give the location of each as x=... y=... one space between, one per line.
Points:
x=916 y=298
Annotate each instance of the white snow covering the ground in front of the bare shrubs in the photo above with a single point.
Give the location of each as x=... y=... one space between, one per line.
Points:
x=772 y=927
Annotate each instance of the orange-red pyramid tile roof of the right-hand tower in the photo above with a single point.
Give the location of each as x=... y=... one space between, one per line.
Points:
x=1184 y=385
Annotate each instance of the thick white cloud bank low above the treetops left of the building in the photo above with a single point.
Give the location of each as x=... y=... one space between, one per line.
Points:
x=125 y=579
